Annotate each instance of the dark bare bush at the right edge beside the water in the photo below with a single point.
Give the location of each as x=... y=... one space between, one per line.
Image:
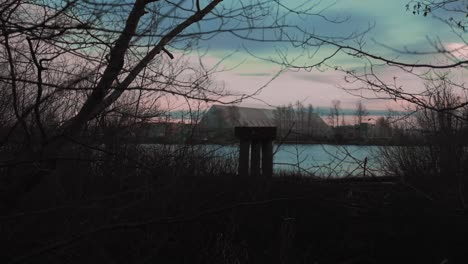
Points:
x=437 y=165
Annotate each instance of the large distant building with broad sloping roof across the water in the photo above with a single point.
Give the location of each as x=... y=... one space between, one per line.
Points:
x=220 y=120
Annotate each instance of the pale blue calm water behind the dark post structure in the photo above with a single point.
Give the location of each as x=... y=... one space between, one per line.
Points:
x=321 y=160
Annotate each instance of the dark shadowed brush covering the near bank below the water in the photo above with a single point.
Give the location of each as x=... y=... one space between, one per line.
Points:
x=128 y=204
